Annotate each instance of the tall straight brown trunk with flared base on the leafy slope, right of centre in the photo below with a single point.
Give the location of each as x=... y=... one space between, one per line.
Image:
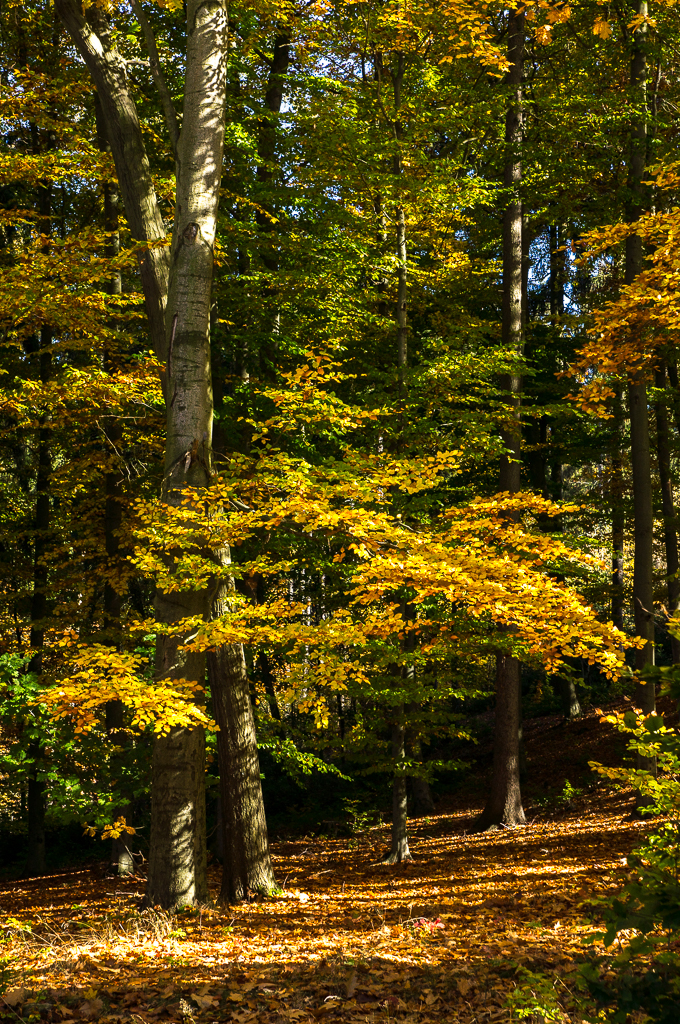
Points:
x=504 y=802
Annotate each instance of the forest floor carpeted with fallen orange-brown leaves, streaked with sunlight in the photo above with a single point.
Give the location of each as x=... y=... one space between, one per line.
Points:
x=450 y=937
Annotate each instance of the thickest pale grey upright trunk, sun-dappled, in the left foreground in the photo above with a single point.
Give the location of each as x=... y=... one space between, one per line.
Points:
x=178 y=858
